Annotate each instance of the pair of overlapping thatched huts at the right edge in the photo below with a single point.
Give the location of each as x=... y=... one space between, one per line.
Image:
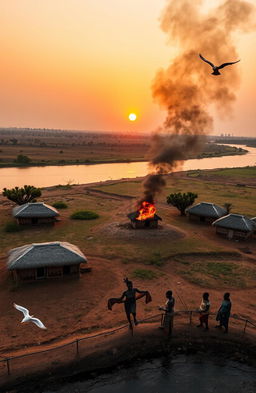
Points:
x=232 y=226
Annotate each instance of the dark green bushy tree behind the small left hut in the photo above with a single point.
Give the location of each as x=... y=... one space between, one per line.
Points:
x=22 y=195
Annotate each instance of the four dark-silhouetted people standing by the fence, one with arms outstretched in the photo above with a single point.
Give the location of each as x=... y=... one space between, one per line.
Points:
x=131 y=295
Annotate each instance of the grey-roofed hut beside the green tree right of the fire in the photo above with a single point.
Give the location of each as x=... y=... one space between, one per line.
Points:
x=205 y=212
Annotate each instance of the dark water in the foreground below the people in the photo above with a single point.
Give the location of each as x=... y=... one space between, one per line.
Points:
x=183 y=374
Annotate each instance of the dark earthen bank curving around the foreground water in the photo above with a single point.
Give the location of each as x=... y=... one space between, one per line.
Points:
x=122 y=350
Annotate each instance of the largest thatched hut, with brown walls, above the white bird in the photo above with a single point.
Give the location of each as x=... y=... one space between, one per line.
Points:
x=45 y=260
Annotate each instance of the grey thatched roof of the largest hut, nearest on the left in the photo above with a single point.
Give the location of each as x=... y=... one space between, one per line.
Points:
x=44 y=254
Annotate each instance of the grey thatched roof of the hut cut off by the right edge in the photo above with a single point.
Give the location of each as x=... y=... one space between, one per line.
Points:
x=236 y=222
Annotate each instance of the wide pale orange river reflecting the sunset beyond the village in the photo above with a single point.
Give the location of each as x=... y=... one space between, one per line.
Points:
x=84 y=174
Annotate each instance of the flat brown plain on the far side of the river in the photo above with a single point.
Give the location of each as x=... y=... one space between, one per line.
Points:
x=51 y=147
